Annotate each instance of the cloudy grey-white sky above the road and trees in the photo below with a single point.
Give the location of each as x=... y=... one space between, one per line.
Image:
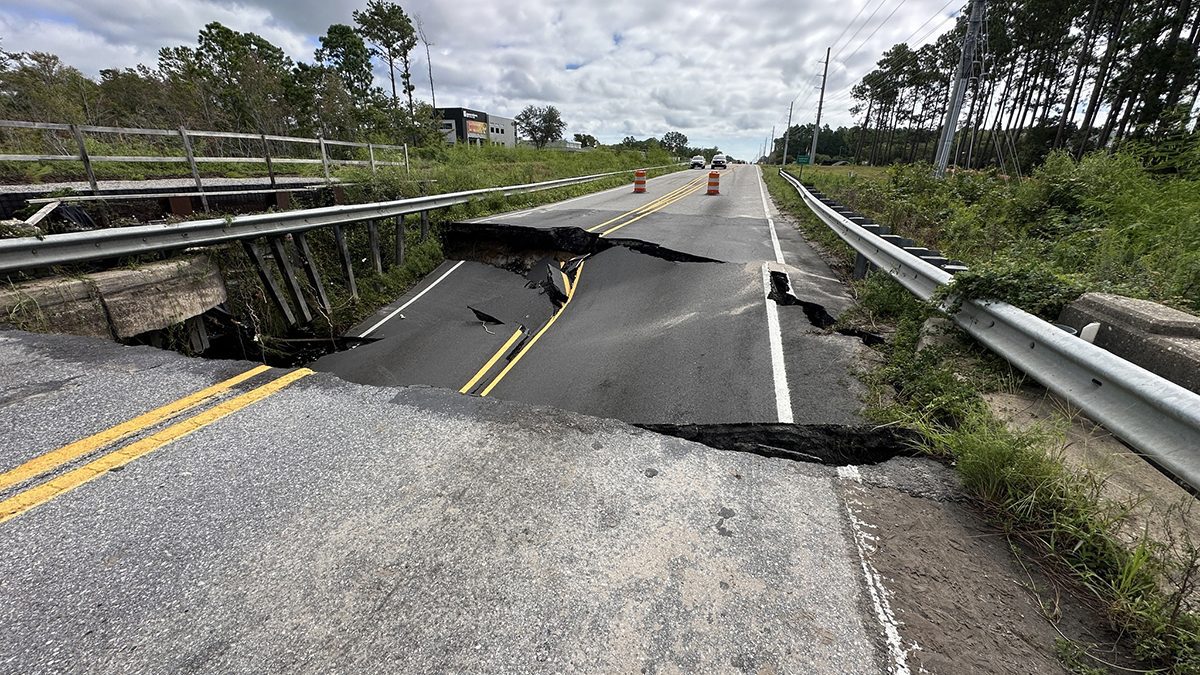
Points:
x=721 y=73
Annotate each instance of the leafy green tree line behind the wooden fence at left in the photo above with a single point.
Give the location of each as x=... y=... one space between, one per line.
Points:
x=235 y=81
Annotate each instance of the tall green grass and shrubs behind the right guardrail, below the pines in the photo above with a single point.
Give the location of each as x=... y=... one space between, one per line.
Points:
x=1108 y=223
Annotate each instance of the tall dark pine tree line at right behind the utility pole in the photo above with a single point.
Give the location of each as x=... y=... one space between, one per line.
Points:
x=1071 y=75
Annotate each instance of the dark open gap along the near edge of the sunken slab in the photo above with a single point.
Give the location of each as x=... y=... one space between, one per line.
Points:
x=820 y=444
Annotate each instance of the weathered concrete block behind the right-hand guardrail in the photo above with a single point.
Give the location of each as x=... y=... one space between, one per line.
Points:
x=1161 y=339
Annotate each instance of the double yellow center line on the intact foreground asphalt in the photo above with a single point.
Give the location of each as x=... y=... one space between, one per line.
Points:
x=112 y=455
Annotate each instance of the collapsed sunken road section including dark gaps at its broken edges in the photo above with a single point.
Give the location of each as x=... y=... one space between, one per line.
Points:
x=671 y=342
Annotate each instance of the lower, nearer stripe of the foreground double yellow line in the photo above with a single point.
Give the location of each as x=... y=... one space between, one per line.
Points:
x=35 y=497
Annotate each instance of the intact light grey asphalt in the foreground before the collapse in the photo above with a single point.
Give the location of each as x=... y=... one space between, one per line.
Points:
x=331 y=527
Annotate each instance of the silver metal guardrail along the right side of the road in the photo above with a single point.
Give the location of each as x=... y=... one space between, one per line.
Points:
x=1155 y=416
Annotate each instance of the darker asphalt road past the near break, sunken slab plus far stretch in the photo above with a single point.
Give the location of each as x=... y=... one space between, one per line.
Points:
x=644 y=339
